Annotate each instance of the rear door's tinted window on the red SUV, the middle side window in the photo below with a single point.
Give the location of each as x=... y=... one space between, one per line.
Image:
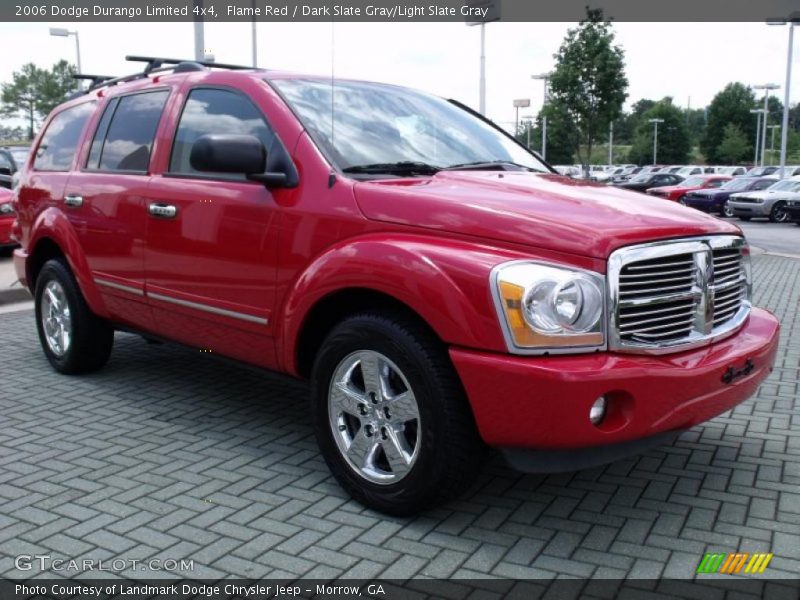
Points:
x=131 y=132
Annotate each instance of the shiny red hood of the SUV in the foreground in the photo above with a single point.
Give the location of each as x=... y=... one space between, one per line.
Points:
x=543 y=211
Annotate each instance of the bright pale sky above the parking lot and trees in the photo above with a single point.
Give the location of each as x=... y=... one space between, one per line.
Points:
x=688 y=61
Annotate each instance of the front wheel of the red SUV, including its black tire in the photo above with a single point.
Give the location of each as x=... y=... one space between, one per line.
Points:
x=390 y=415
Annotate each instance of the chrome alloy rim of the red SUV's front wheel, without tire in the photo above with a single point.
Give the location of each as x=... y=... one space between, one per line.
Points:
x=374 y=417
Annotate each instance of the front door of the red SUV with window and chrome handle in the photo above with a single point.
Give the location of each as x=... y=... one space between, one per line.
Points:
x=212 y=238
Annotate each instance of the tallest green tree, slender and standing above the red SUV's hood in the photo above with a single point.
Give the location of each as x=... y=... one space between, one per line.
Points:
x=589 y=81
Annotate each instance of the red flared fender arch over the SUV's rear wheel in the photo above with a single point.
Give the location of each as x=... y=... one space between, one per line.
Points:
x=53 y=225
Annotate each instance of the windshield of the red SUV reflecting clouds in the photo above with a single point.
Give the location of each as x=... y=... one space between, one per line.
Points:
x=381 y=125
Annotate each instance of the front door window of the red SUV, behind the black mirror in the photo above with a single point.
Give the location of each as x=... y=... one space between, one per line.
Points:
x=215 y=111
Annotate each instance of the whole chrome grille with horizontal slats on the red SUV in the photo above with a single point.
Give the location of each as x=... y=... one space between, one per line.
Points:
x=668 y=296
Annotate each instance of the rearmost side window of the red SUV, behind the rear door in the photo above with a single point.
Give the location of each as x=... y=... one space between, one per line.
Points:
x=58 y=145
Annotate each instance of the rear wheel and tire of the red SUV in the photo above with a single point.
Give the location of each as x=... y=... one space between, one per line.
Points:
x=73 y=338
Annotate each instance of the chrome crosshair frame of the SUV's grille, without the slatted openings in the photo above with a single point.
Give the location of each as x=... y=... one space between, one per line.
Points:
x=703 y=291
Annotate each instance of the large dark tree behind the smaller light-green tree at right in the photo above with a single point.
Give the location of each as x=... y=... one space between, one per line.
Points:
x=730 y=106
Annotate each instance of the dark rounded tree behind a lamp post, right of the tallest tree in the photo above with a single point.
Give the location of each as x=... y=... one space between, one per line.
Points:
x=674 y=142
